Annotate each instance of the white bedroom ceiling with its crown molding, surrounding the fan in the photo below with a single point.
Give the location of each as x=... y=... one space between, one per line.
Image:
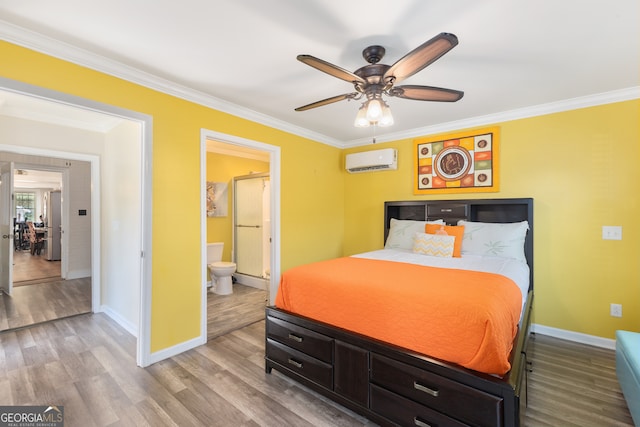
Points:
x=514 y=59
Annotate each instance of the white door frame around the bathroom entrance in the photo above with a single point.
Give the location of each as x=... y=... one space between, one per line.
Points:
x=274 y=172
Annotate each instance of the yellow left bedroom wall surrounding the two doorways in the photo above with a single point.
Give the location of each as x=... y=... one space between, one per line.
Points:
x=312 y=200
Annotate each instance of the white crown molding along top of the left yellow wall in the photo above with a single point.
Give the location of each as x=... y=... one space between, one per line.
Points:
x=61 y=50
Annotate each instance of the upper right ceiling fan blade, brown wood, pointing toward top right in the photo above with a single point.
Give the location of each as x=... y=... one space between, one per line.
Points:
x=420 y=57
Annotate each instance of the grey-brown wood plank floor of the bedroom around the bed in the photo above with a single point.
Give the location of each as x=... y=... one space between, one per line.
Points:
x=87 y=364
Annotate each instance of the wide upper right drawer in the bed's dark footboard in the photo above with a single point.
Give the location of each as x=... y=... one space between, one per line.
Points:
x=446 y=396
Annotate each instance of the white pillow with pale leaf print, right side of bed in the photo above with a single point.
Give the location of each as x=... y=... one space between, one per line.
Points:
x=504 y=240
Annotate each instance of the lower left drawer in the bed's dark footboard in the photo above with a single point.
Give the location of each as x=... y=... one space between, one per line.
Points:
x=296 y=361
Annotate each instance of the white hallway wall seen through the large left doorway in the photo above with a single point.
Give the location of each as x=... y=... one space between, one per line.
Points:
x=120 y=158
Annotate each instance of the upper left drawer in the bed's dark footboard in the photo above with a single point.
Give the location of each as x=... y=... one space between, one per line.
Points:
x=309 y=342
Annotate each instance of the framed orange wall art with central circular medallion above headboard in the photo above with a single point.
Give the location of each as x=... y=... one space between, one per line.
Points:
x=462 y=162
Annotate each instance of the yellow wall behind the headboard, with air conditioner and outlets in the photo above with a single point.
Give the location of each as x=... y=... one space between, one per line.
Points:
x=581 y=168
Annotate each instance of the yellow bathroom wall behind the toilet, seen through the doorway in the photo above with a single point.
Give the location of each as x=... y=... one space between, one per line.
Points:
x=222 y=168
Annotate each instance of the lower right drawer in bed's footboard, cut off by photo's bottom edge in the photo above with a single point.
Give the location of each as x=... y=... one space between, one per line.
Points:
x=406 y=412
